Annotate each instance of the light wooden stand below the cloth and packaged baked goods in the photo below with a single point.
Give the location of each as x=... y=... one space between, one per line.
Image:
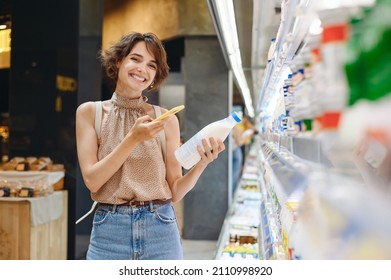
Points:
x=19 y=240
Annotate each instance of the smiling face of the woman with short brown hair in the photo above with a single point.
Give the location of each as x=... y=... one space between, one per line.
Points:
x=137 y=70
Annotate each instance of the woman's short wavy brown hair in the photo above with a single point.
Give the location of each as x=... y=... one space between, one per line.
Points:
x=124 y=46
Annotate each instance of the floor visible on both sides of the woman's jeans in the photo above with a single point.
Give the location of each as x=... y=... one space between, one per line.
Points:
x=192 y=249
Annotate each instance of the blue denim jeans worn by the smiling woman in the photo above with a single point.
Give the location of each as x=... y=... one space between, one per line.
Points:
x=148 y=232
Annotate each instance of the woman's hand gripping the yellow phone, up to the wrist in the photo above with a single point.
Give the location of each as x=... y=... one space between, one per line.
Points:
x=144 y=129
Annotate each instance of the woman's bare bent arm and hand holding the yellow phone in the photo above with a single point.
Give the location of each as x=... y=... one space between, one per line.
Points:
x=96 y=173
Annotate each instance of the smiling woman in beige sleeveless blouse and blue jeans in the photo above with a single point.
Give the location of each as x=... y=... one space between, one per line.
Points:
x=120 y=156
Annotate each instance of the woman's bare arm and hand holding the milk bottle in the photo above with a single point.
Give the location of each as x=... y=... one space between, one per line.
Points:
x=180 y=185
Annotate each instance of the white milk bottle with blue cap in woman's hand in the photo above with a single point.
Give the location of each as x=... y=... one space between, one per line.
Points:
x=187 y=154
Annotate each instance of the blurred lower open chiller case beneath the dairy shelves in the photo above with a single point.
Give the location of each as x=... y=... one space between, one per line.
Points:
x=306 y=211
